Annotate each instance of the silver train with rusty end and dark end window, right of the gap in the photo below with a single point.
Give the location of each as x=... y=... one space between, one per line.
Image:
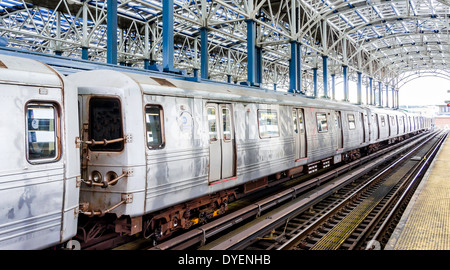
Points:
x=160 y=153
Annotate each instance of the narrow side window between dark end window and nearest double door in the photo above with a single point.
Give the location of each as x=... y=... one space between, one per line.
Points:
x=154 y=126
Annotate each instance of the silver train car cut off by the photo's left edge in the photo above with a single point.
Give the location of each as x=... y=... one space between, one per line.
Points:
x=40 y=162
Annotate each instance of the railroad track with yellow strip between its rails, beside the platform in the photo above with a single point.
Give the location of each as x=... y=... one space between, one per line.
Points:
x=367 y=214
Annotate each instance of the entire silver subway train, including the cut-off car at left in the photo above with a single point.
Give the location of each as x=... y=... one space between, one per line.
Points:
x=152 y=154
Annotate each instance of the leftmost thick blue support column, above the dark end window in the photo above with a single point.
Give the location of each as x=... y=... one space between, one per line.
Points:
x=111 y=32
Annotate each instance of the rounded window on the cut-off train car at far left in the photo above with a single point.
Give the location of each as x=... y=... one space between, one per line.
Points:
x=43 y=140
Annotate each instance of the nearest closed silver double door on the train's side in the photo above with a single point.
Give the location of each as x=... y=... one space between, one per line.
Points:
x=221 y=141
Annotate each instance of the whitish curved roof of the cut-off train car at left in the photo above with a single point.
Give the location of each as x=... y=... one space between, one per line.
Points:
x=18 y=70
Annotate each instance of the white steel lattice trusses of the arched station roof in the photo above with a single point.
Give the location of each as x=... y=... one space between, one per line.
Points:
x=381 y=39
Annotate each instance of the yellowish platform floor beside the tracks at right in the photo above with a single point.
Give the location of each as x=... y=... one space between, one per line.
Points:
x=425 y=224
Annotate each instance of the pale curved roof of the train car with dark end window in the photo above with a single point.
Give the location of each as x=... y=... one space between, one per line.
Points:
x=154 y=85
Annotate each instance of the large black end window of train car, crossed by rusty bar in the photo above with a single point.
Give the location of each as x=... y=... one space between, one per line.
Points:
x=105 y=124
